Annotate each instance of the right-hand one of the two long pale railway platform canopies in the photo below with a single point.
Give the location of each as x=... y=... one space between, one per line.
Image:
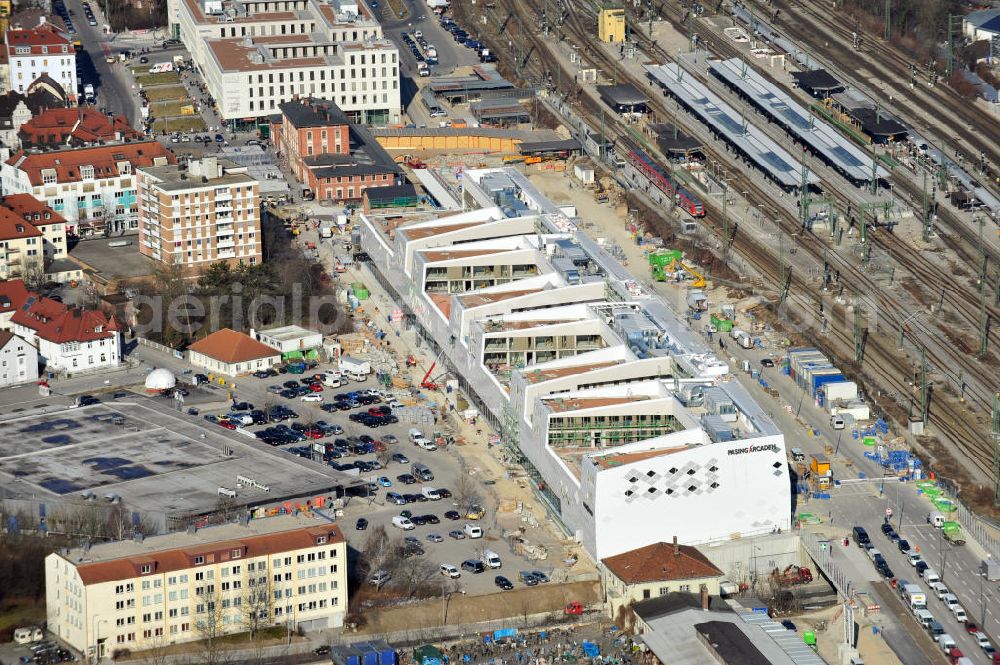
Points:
x=832 y=147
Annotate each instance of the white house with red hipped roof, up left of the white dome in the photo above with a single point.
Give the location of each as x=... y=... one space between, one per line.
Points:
x=68 y=338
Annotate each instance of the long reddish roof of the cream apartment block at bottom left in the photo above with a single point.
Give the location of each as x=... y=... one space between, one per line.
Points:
x=167 y=561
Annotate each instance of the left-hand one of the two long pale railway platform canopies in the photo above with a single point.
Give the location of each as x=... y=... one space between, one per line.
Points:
x=757 y=146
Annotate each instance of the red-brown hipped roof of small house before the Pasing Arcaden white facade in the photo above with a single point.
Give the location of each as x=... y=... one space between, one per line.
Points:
x=660 y=562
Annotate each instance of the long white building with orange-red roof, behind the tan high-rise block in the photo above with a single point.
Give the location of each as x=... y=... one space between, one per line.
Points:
x=93 y=188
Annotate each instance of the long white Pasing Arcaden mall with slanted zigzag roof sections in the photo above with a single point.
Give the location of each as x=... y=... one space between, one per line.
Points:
x=628 y=426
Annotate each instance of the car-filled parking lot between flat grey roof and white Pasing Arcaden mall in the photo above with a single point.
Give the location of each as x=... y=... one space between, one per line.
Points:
x=391 y=450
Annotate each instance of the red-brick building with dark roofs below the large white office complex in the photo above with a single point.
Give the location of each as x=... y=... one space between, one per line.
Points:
x=334 y=158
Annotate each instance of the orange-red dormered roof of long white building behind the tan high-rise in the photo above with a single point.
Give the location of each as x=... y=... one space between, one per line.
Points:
x=104 y=159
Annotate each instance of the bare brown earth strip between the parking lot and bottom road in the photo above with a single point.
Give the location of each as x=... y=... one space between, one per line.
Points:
x=517 y=603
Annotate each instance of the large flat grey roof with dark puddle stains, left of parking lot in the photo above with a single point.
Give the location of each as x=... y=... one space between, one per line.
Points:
x=158 y=460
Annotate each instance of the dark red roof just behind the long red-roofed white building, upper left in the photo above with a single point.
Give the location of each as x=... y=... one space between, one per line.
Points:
x=85 y=124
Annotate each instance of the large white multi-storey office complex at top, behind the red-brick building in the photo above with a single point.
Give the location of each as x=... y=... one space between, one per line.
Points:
x=256 y=55
